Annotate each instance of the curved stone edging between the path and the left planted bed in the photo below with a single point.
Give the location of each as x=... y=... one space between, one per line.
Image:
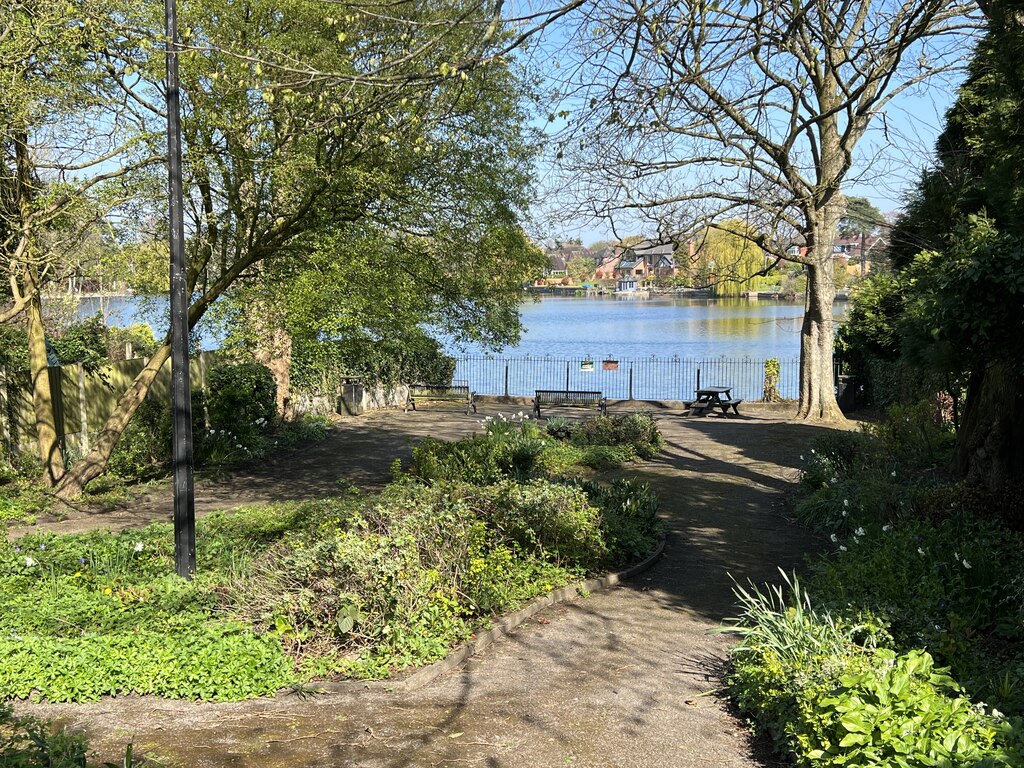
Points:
x=502 y=626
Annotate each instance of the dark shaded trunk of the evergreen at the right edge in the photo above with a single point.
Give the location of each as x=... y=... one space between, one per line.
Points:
x=991 y=441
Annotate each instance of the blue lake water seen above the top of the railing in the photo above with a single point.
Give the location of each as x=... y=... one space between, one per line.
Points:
x=699 y=329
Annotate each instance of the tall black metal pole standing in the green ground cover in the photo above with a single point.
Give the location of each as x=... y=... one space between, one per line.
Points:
x=185 y=502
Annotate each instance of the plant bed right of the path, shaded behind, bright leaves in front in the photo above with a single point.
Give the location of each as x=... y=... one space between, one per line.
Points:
x=912 y=654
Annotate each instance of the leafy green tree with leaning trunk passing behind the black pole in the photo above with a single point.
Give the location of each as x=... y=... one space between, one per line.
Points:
x=305 y=120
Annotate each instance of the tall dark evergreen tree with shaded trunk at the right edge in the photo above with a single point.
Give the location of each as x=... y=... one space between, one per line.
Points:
x=955 y=305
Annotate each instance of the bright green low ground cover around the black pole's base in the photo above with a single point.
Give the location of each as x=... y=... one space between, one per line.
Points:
x=100 y=614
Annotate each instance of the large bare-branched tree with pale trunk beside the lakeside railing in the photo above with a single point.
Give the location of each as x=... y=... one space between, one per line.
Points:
x=692 y=113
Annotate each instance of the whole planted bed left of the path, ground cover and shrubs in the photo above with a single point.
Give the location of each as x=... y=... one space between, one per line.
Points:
x=360 y=585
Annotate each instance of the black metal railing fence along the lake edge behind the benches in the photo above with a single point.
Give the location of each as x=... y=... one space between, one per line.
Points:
x=643 y=379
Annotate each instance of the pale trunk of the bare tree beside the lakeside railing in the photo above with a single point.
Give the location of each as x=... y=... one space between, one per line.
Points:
x=818 y=385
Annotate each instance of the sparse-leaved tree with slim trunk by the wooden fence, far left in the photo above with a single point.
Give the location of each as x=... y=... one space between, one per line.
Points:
x=70 y=145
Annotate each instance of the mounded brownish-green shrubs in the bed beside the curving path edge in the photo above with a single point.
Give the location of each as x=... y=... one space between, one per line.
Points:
x=381 y=583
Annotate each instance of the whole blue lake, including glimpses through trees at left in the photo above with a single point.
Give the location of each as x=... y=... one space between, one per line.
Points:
x=657 y=349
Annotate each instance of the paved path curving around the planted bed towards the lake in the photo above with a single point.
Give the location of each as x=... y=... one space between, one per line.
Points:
x=624 y=678
